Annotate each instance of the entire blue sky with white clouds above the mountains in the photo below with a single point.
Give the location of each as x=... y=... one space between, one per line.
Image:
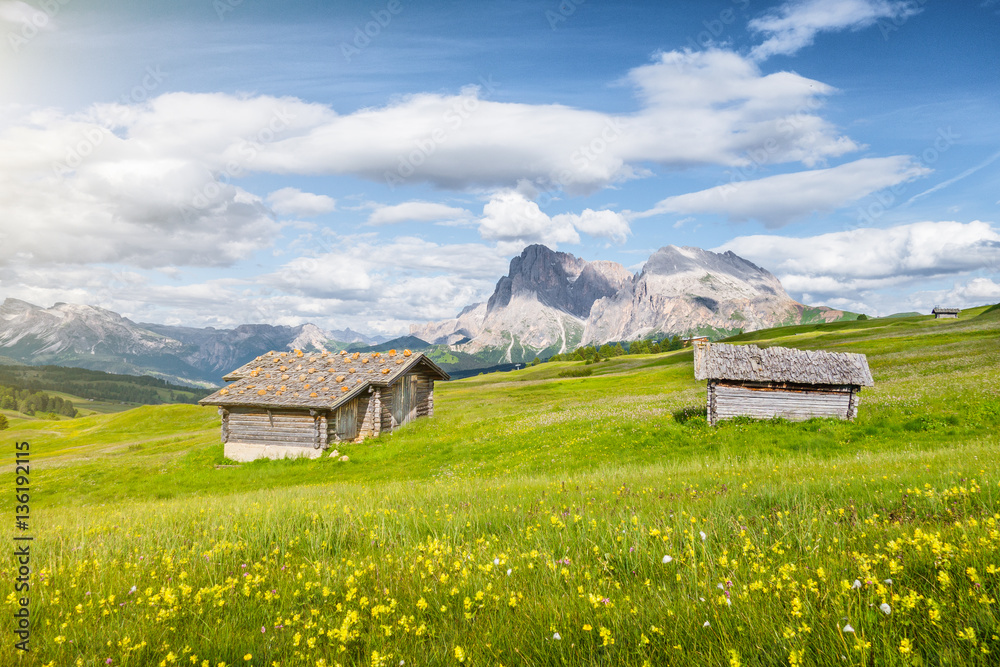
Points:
x=376 y=164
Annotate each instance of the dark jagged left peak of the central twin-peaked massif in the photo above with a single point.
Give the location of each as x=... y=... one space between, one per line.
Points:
x=540 y=306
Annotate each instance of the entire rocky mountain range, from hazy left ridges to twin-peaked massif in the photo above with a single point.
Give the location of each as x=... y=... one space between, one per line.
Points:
x=549 y=302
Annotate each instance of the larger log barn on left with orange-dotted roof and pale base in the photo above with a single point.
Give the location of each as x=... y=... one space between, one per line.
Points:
x=285 y=404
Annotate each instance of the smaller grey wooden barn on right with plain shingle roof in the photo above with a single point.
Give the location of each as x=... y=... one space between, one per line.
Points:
x=780 y=382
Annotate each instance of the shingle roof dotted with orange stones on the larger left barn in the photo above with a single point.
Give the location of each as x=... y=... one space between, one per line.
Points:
x=326 y=380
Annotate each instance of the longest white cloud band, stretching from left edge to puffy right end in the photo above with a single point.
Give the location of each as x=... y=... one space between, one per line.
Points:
x=693 y=108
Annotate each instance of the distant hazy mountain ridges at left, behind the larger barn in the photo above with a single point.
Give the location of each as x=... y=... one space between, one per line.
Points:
x=99 y=339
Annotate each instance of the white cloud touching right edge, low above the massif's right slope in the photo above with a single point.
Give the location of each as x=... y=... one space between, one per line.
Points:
x=844 y=264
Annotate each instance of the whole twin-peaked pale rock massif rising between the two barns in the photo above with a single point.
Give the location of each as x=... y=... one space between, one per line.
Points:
x=551 y=302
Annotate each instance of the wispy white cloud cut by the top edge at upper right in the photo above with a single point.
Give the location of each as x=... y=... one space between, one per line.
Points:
x=795 y=24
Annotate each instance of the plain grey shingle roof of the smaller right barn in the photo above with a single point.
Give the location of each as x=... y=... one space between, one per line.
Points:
x=719 y=361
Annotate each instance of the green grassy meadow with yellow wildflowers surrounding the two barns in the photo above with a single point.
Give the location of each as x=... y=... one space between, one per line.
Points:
x=540 y=518
